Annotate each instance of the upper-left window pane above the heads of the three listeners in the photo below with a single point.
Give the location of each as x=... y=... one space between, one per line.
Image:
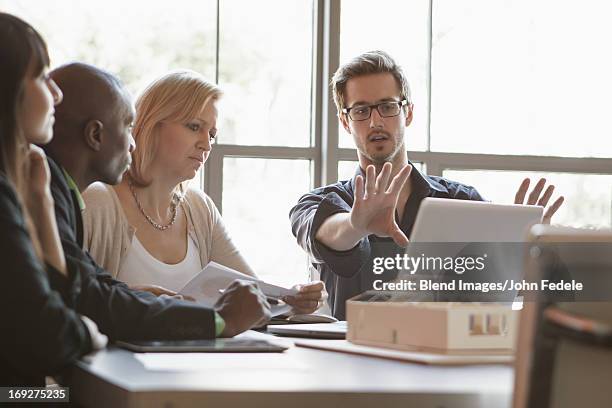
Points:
x=125 y=37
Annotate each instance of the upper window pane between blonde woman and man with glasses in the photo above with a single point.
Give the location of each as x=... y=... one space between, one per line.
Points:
x=265 y=69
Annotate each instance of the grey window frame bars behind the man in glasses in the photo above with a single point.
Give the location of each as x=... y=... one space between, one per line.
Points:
x=325 y=154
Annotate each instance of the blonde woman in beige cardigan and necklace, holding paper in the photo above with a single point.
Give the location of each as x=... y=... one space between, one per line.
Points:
x=150 y=231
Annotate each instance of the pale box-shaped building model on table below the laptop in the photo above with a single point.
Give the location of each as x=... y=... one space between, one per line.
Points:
x=446 y=327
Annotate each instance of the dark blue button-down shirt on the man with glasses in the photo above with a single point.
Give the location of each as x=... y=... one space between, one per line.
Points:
x=349 y=273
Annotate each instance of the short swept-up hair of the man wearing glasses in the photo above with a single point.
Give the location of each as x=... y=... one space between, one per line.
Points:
x=371 y=62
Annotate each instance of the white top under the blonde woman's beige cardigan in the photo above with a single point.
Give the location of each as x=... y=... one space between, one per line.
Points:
x=142 y=268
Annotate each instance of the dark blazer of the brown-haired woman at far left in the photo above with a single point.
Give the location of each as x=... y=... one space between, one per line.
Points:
x=39 y=333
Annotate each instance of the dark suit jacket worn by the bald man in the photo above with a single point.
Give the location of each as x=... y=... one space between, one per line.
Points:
x=120 y=312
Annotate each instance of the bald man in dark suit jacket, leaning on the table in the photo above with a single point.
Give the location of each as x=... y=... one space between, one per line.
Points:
x=92 y=142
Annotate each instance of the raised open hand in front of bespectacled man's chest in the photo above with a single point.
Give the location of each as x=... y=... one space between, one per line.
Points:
x=375 y=202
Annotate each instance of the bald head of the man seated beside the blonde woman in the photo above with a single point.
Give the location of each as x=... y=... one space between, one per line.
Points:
x=92 y=132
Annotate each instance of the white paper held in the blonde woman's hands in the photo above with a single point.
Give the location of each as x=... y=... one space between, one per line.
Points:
x=205 y=286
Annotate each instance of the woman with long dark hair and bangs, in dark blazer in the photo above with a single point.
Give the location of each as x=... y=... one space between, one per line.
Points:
x=40 y=333
